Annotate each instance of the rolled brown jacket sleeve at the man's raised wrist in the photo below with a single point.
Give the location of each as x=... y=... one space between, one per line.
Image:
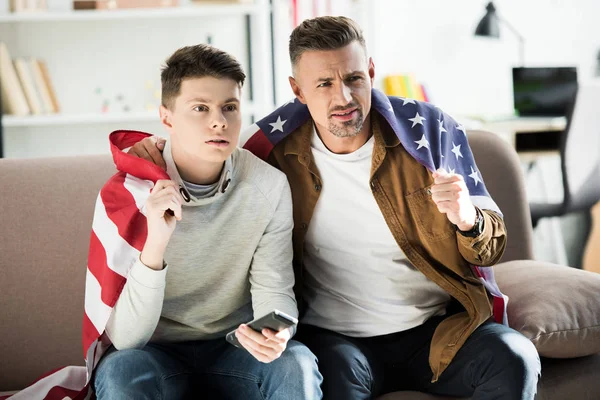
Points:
x=487 y=248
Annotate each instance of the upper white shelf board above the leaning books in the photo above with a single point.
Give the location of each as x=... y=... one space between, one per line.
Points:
x=204 y=10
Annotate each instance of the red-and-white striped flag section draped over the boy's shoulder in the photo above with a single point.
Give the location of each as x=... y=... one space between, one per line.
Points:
x=118 y=235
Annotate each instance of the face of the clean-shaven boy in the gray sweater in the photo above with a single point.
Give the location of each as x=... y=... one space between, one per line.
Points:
x=205 y=119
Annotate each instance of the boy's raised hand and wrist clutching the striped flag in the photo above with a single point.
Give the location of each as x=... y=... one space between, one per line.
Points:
x=163 y=210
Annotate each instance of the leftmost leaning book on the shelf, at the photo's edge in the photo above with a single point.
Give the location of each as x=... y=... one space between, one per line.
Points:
x=13 y=97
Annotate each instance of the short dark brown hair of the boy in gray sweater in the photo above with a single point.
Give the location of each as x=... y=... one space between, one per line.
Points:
x=196 y=62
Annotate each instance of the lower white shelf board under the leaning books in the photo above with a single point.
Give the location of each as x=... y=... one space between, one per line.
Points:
x=10 y=121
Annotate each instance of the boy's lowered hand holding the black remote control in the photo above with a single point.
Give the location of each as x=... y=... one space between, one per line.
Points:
x=265 y=347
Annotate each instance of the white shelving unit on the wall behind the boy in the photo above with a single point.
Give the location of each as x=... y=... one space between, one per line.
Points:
x=245 y=30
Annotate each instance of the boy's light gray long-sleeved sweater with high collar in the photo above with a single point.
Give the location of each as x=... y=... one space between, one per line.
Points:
x=229 y=260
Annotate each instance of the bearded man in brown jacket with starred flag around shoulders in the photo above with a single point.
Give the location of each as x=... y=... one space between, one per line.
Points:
x=385 y=238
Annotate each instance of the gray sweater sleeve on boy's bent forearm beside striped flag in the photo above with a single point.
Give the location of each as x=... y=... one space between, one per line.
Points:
x=137 y=312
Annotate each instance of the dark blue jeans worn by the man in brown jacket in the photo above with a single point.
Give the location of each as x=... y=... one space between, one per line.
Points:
x=495 y=363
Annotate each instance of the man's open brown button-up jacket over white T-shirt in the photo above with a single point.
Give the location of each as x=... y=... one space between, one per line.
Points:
x=425 y=235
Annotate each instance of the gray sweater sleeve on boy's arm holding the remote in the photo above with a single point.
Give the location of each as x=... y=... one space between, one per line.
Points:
x=271 y=273
